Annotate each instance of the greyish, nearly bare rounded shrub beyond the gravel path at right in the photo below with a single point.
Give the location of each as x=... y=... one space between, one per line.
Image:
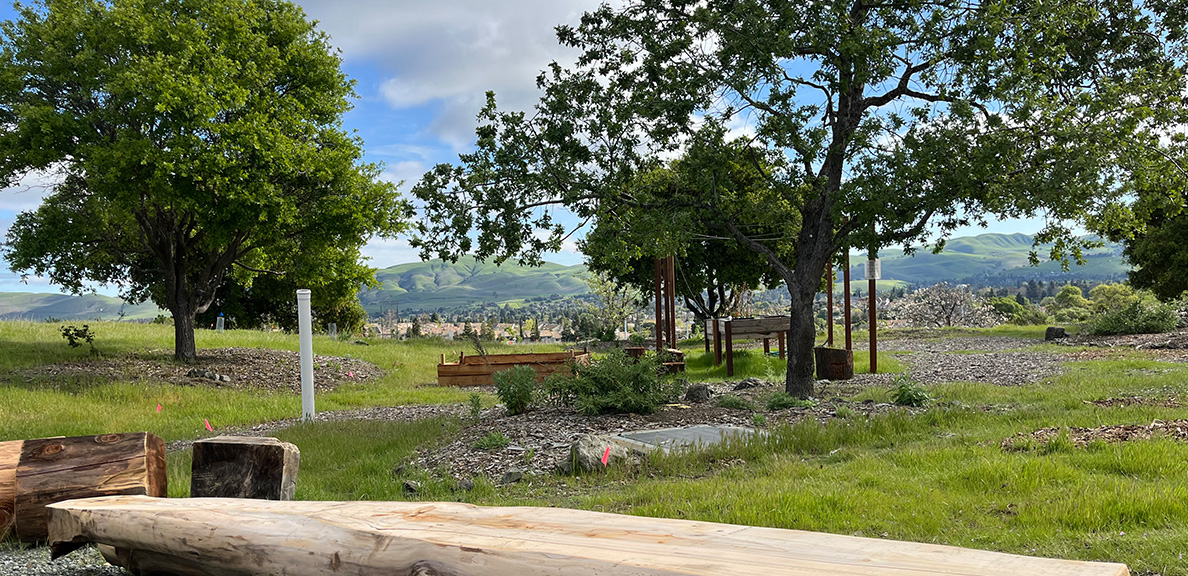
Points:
x=944 y=306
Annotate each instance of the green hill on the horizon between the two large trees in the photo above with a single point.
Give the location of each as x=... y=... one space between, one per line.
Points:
x=439 y=284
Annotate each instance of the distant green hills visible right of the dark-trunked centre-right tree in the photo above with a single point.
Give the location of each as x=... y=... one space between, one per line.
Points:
x=993 y=259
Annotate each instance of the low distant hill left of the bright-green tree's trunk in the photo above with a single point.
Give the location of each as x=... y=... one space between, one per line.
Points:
x=39 y=307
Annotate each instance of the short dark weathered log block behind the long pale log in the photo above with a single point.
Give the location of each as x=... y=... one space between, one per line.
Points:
x=244 y=467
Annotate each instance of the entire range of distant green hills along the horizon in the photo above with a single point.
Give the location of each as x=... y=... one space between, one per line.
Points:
x=987 y=259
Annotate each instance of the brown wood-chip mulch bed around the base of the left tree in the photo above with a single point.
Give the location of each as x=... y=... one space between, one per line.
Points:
x=247 y=369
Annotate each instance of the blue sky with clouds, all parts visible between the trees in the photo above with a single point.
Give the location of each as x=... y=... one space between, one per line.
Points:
x=422 y=69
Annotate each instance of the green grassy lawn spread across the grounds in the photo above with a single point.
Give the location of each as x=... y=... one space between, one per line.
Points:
x=938 y=474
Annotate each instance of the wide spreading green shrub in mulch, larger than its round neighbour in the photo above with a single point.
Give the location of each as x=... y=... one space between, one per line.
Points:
x=615 y=383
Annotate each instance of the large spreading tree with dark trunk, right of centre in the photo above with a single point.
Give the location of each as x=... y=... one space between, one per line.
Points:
x=874 y=123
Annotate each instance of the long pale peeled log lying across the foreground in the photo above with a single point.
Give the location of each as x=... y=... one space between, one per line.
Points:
x=228 y=537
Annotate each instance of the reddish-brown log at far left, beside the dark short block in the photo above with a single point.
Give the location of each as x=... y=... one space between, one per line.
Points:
x=56 y=470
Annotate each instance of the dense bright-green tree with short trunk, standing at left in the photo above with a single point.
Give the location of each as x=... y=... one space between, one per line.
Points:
x=192 y=141
